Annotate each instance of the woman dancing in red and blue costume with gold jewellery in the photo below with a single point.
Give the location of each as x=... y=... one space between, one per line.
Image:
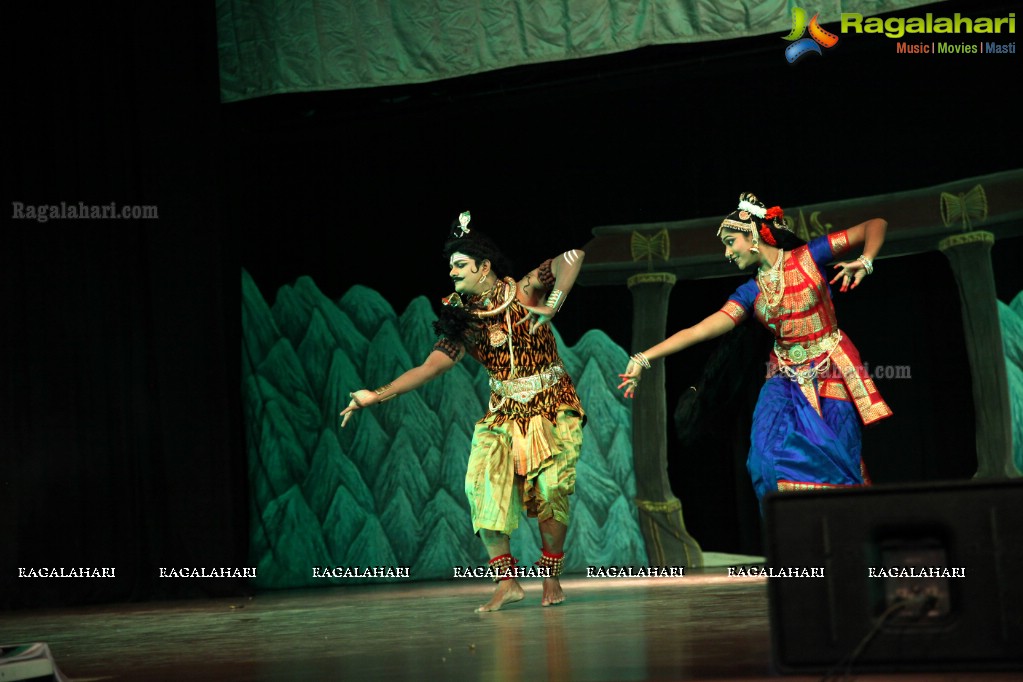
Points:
x=807 y=425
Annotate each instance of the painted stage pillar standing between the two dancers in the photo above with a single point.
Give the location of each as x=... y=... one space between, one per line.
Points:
x=669 y=543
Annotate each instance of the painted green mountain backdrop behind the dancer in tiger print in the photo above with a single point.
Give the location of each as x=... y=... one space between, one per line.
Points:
x=388 y=490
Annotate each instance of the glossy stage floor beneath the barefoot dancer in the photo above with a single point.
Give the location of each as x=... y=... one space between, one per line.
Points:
x=707 y=626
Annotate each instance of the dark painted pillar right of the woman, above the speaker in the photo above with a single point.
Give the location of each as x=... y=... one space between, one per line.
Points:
x=970 y=256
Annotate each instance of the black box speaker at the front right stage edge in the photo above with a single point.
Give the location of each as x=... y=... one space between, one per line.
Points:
x=889 y=579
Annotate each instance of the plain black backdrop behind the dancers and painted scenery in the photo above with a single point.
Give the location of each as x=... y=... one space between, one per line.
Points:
x=121 y=435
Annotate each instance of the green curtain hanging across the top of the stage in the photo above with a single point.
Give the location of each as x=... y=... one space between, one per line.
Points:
x=273 y=48
